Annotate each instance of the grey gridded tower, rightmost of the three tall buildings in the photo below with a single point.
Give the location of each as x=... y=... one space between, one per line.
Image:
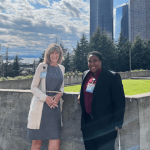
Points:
x=139 y=19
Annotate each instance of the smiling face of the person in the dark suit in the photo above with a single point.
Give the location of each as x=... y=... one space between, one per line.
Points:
x=94 y=63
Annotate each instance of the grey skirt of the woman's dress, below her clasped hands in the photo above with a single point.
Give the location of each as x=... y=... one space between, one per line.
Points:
x=50 y=125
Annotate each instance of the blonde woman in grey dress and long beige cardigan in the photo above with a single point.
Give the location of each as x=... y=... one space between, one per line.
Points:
x=44 y=120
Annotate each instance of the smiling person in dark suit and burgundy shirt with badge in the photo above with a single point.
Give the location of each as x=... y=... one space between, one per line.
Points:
x=103 y=104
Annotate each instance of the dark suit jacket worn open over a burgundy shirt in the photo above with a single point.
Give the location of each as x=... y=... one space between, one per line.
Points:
x=108 y=102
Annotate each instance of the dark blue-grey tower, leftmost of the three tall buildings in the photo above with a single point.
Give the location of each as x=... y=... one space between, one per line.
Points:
x=101 y=14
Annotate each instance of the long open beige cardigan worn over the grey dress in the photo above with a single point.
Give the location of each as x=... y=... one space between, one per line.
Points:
x=38 y=88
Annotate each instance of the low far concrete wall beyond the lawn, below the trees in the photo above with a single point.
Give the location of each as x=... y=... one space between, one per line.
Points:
x=26 y=83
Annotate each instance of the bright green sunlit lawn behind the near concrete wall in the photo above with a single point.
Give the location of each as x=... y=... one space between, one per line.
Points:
x=131 y=87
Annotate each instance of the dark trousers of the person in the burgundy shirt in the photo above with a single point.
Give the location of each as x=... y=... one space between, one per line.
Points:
x=96 y=139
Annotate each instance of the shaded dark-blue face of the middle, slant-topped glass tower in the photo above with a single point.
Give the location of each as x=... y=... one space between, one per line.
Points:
x=125 y=22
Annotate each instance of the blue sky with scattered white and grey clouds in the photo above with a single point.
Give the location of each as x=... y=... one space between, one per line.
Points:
x=29 y=26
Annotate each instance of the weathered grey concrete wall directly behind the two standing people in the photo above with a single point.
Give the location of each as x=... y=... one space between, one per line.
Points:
x=14 y=107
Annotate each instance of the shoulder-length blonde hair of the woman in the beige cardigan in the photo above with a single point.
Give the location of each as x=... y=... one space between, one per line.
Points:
x=50 y=50
